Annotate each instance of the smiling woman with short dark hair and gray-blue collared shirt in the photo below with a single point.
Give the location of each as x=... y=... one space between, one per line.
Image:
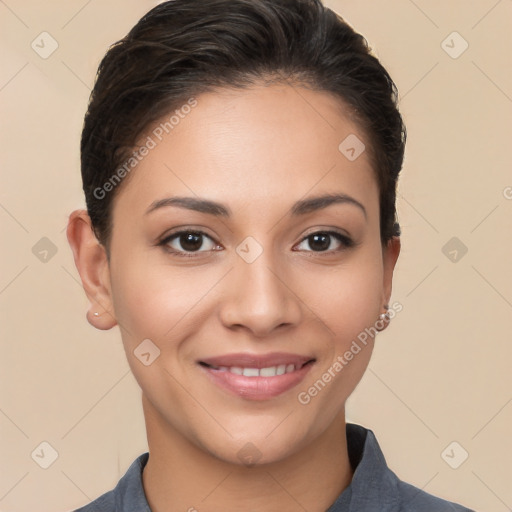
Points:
x=239 y=162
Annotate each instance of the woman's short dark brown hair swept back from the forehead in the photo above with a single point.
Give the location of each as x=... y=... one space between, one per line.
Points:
x=183 y=48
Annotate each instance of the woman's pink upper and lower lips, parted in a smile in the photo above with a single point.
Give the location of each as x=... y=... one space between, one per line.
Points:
x=256 y=388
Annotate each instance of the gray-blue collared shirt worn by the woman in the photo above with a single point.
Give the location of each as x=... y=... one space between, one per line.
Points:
x=374 y=487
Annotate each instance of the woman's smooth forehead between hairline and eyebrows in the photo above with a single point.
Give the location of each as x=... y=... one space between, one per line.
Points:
x=263 y=145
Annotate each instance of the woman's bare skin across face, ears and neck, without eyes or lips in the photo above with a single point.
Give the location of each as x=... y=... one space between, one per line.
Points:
x=257 y=151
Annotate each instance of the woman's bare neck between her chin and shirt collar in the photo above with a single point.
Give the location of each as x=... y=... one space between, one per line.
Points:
x=179 y=476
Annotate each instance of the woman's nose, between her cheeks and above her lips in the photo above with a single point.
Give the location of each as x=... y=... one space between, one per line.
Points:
x=258 y=299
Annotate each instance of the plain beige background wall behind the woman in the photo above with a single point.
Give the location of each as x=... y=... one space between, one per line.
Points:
x=440 y=373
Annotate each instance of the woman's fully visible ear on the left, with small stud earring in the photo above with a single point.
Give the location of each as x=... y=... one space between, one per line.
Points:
x=92 y=264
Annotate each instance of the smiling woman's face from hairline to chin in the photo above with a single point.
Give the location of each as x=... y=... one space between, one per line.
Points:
x=255 y=288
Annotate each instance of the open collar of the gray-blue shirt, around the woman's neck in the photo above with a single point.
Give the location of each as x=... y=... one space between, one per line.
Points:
x=373 y=487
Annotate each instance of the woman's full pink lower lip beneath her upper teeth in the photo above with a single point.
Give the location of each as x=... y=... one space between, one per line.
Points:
x=256 y=388
